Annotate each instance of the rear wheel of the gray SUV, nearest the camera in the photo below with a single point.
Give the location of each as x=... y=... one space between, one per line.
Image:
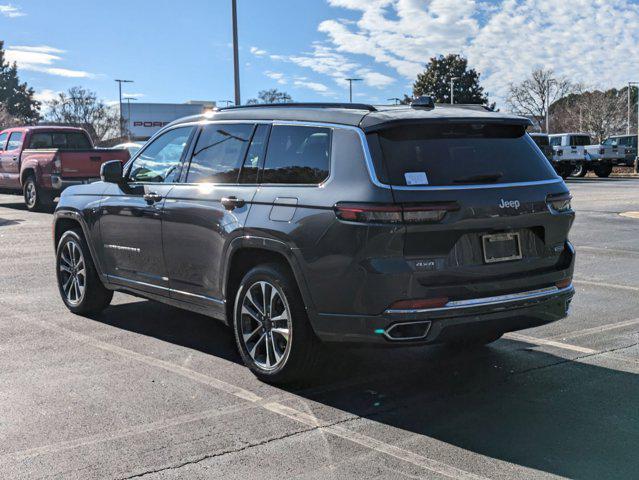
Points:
x=272 y=331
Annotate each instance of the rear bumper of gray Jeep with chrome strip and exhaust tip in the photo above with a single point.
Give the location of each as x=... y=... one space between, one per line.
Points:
x=499 y=314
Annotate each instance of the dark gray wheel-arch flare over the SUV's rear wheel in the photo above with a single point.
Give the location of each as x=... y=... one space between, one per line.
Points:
x=273 y=245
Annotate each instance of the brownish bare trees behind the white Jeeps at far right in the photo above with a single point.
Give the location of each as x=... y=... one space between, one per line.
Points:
x=601 y=114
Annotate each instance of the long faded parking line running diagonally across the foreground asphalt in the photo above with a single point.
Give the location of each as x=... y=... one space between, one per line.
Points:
x=275 y=407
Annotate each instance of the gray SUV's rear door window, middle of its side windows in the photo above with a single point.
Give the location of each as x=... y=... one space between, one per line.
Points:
x=219 y=153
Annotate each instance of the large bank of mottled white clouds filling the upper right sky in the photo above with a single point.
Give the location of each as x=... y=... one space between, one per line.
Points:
x=589 y=41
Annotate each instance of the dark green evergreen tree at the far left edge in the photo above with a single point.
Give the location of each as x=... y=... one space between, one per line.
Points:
x=16 y=98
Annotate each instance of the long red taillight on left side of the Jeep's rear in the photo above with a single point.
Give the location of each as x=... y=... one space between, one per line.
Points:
x=393 y=213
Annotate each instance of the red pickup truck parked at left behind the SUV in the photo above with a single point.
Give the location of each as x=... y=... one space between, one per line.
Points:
x=42 y=161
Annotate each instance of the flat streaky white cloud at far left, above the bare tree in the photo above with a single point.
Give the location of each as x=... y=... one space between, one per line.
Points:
x=42 y=58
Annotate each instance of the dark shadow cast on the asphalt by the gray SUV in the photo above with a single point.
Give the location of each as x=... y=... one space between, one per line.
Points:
x=507 y=402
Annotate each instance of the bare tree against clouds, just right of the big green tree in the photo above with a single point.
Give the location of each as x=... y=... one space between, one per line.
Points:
x=533 y=96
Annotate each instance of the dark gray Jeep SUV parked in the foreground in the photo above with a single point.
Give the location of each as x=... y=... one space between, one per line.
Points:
x=299 y=224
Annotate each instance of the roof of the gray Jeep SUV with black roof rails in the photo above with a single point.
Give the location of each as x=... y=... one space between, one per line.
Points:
x=359 y=115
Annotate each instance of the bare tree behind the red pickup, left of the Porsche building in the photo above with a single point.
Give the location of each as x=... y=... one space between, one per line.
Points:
x=82 y=108
